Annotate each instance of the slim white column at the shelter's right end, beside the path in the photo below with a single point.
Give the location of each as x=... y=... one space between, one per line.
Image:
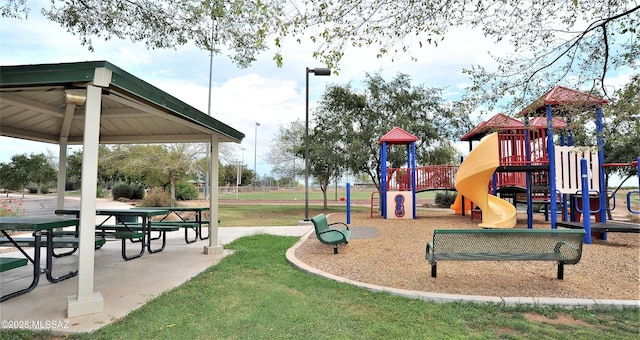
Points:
x=214 y=246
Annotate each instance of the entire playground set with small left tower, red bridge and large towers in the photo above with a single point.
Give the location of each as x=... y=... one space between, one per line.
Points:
x=531 y=168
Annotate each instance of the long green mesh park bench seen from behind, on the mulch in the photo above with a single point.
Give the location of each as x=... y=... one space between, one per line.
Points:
x=560 y=245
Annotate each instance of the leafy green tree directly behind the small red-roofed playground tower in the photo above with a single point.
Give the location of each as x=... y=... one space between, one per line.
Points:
x=362 y=119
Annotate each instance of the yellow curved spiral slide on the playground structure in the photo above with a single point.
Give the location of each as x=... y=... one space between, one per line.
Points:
x=472 y=181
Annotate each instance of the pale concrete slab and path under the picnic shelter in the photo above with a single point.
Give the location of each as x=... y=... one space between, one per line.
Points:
x=124 y=285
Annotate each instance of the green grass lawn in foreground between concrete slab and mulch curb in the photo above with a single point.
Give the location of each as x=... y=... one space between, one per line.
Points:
x=256 y=294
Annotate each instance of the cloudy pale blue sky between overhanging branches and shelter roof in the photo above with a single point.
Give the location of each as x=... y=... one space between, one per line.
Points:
x=262 y=93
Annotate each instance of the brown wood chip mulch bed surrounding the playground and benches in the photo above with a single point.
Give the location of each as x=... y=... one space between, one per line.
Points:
x=395 y=257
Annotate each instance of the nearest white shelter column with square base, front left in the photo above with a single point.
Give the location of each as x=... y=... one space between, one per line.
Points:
x=87 y=301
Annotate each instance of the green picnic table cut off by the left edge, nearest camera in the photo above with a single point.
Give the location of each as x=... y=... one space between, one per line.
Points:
x=37 y=225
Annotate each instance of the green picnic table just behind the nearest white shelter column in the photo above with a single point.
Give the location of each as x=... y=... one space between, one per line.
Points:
x=124 y=228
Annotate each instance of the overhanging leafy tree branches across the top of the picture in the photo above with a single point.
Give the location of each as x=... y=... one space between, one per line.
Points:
x=572 y=42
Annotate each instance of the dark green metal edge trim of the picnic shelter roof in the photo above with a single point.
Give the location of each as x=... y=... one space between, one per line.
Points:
x=73 y=75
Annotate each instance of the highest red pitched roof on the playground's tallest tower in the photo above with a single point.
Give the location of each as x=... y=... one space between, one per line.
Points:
x=562 y=96
